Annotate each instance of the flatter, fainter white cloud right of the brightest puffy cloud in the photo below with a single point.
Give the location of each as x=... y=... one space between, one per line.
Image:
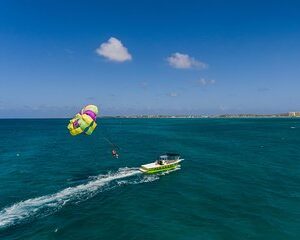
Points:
x=184 y=61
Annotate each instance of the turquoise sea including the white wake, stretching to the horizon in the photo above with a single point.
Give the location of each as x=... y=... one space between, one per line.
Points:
x=240 y=180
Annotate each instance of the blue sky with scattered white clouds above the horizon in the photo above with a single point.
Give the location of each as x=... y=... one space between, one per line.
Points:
x=149 y=57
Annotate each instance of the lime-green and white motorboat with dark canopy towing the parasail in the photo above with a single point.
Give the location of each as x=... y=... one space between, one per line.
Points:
x=165 y=162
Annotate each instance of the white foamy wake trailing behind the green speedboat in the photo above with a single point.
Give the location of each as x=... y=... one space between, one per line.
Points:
x=42 y=206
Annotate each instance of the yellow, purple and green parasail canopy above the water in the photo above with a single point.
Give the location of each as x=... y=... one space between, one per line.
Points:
x=84 y=121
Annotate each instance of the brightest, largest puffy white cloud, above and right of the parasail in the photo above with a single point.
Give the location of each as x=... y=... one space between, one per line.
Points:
x=114 y=50
